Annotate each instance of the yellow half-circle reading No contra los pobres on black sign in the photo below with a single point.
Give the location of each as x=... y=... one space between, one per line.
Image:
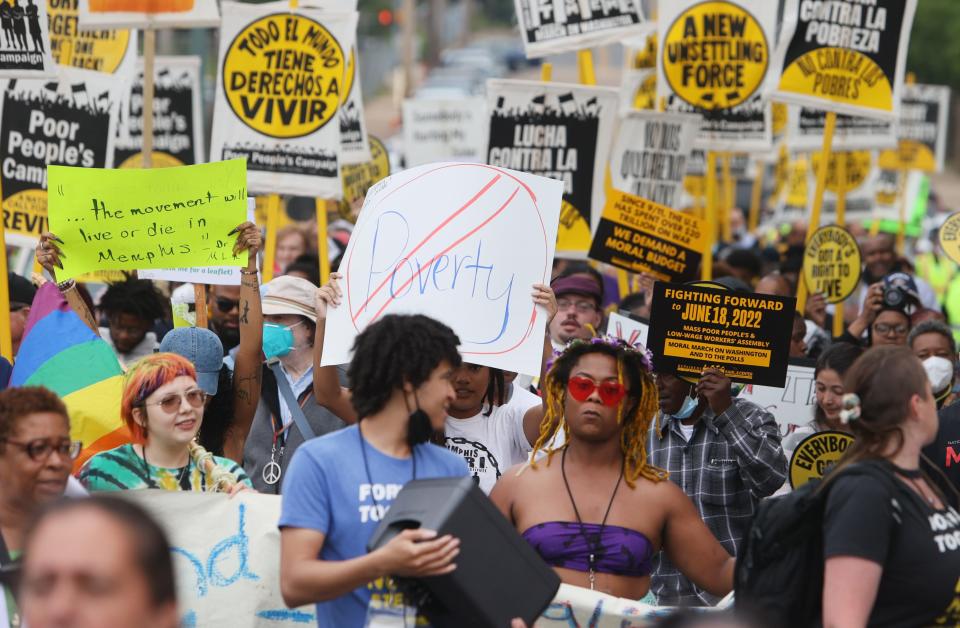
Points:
x=839 y=75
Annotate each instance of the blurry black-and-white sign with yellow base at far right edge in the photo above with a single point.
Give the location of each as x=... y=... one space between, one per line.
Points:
x=922 y=130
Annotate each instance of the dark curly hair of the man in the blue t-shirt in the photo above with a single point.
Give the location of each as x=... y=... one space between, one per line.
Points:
x=396 y=350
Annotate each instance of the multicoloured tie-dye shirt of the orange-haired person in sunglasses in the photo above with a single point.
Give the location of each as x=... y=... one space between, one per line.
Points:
x=123 y=469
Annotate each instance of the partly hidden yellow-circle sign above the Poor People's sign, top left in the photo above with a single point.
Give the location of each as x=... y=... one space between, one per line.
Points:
x=110 y=52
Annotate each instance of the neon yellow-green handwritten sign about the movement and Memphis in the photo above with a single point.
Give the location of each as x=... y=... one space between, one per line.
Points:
x=133 y=219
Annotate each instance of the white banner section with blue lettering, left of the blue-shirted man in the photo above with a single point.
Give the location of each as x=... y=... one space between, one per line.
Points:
x=224 y=557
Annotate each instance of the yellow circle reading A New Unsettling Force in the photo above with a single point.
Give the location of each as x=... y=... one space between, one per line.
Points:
x=715 y=55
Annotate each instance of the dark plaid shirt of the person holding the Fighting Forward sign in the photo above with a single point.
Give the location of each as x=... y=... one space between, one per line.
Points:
x=729 y=464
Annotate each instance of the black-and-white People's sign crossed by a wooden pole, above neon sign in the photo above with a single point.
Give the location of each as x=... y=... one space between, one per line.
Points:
x=177 y=121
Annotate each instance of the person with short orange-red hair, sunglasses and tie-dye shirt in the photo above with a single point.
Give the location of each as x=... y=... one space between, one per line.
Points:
x=163 y=407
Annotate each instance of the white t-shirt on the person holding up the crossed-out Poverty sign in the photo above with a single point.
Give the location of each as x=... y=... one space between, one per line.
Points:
x=492 y=444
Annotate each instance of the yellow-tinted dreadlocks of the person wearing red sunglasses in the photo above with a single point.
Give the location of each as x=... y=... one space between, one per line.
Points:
x=635 y=412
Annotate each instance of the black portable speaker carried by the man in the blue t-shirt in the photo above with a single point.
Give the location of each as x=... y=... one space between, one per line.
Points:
x=498 y=575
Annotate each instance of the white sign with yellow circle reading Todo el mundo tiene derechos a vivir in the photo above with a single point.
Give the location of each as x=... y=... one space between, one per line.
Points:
x=280 y=83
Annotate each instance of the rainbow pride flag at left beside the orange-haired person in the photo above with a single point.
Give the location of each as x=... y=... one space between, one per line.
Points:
x=60 y=352
